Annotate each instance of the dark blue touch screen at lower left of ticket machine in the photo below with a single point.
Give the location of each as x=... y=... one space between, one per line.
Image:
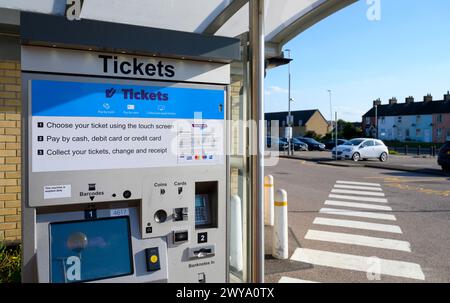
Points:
x=90 y=250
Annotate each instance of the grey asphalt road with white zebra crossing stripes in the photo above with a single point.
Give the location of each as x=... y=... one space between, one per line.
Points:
x=393 y=229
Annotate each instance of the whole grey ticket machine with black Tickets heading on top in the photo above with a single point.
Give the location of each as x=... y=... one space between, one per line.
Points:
x=125 y=165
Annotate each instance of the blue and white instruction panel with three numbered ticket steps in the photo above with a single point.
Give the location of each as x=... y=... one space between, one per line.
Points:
x=89 y=126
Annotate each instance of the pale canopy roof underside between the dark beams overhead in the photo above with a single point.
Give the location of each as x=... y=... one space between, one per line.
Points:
x=284 y=18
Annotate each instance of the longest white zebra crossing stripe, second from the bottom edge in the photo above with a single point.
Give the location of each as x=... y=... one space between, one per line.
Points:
x=359 y=263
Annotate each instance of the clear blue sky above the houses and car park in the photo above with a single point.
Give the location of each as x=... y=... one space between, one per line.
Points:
x=400 y=50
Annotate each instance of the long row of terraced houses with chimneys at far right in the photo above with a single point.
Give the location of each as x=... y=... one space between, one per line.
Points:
x=426 y=121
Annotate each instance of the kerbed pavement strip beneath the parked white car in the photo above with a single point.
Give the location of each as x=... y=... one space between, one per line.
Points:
x=422 y=164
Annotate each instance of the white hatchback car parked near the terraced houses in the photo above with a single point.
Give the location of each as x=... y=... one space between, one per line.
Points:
x=361 y=149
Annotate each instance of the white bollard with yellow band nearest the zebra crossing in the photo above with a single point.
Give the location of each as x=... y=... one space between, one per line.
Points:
x=280 y=228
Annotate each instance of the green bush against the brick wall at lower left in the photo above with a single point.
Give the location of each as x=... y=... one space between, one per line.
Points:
x=10 y=263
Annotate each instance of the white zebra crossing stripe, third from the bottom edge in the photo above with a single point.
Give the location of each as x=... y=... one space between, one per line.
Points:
x=357 y=240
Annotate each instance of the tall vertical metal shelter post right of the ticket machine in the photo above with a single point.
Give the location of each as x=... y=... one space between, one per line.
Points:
x=256 y=21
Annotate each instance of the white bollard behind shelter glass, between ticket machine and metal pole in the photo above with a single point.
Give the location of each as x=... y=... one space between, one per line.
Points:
x=236 y=233
